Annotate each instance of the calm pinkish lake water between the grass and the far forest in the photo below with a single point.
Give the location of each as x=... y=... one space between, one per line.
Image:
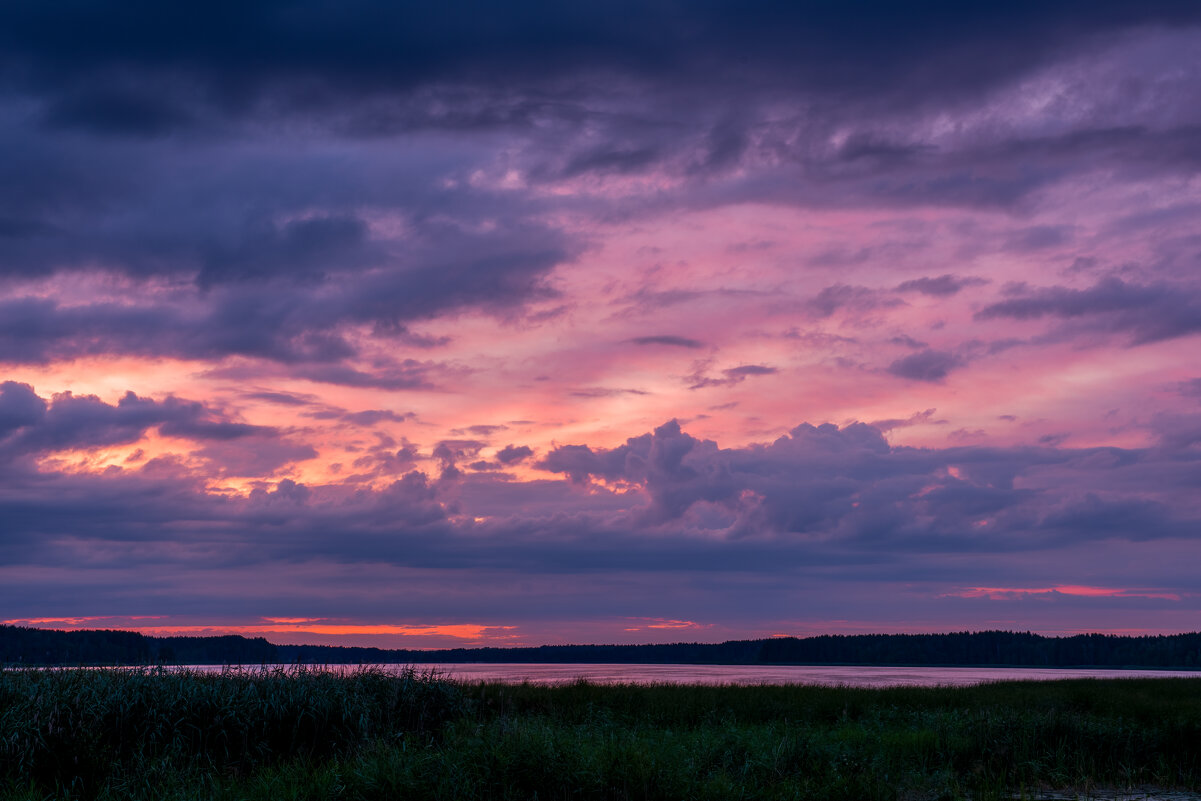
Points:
x=830 y=677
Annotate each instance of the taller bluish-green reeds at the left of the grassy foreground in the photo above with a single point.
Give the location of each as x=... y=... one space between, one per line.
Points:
x=85 y=733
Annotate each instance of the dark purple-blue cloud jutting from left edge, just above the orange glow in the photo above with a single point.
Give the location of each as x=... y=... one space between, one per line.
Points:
x=300 y=321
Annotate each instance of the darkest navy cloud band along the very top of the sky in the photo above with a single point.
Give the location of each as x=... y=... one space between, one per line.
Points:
x=230 y=51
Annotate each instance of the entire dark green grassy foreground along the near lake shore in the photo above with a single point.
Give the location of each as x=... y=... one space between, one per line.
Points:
x=94 y=734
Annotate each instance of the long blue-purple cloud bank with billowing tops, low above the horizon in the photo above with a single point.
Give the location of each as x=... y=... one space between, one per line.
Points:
x=821 y=505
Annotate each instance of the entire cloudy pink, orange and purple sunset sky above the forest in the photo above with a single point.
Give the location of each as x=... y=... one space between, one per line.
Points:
x=459 y=324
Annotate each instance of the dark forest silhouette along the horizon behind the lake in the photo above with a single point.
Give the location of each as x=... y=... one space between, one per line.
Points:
x=34 y=647
